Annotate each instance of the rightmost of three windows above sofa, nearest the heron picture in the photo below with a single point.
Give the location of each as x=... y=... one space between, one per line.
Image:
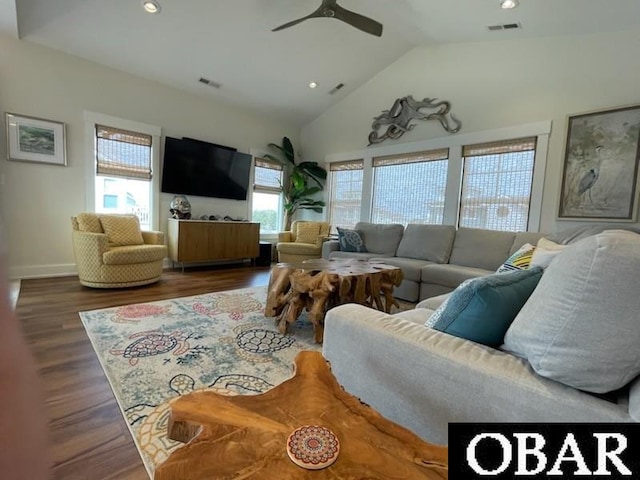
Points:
x=496 y=184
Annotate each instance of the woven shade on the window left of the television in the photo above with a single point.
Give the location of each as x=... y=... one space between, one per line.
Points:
x=123 y=153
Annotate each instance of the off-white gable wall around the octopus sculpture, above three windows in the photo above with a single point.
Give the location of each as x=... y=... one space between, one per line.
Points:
x=493 y=85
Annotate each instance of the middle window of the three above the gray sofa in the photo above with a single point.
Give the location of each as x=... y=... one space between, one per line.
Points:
x=410 y=188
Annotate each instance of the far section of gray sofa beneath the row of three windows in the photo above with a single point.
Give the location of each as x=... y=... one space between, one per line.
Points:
x=434 y=259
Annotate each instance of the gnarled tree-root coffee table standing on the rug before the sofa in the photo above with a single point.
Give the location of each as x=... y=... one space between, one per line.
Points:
x=318 y=285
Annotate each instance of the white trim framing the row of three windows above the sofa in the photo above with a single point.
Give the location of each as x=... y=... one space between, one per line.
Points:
x=455 y=143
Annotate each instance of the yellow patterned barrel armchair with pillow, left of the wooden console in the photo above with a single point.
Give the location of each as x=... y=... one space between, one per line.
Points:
x=112 y=252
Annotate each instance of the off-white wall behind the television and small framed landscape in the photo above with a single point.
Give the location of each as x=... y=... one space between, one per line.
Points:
x=38 y=200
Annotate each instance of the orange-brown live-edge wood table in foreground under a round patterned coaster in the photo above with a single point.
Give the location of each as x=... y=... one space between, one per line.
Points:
x=247 y=436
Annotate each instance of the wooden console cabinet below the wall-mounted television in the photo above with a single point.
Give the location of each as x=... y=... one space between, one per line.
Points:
x=208 y=241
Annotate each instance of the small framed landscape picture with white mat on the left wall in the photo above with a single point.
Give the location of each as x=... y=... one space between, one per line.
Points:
x=31 y=139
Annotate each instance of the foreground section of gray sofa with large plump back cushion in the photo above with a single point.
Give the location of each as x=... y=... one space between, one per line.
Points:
x=423 y=378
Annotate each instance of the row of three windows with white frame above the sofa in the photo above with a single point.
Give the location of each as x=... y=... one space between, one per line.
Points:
x=491 y=179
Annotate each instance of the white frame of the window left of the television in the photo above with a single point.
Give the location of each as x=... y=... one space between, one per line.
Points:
x=91 y=119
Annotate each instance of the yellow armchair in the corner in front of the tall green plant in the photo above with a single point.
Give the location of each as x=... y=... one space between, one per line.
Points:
x=302 y=242
